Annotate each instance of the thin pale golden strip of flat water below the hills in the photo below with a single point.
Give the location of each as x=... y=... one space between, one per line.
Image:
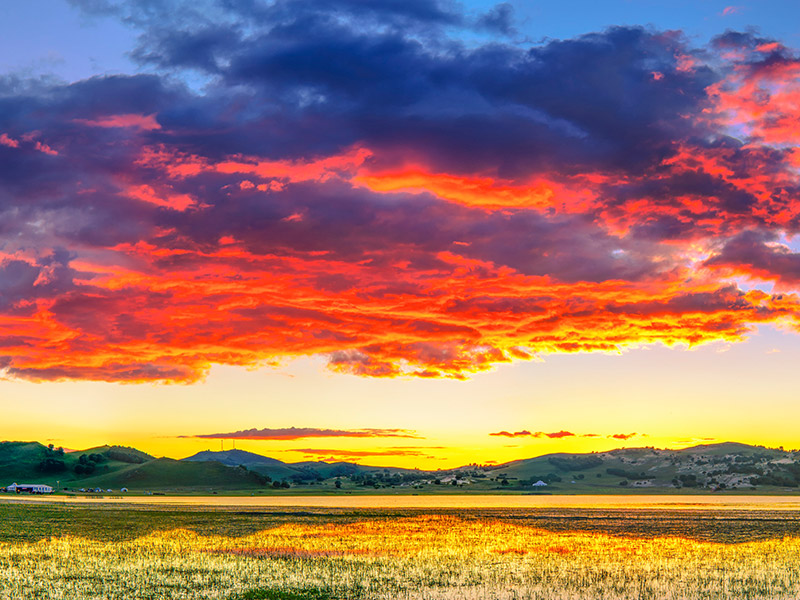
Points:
x=683 y=502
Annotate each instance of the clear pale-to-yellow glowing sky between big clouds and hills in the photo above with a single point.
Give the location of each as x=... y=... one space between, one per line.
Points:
x=670 y=398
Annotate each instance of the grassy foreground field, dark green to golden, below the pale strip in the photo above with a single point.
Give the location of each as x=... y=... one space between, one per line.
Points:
x=127 y=554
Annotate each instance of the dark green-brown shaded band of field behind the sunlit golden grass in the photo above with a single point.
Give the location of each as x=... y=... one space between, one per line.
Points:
x=22 y=521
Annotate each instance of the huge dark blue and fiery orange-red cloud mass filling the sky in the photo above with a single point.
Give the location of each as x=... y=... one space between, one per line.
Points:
x=356 y=181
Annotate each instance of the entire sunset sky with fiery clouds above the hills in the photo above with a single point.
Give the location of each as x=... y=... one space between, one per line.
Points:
x=399 y=232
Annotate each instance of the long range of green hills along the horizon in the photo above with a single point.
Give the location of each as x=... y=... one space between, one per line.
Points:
x=709 y=467
